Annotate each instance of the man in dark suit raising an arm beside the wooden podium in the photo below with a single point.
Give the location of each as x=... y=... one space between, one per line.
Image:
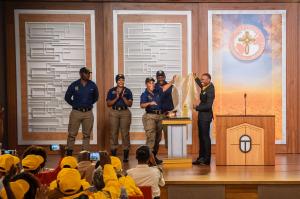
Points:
x=205 y=116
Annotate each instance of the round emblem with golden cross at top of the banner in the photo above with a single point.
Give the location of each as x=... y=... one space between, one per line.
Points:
x=247 y=42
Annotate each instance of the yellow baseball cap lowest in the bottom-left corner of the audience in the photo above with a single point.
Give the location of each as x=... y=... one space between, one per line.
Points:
x=18 y=187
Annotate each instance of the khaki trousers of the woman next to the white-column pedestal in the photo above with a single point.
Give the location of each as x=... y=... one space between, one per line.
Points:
x=153 y=129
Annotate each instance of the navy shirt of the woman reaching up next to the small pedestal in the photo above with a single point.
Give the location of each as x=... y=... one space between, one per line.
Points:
x=149 y=97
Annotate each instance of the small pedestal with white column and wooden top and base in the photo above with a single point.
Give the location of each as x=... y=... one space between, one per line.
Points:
x=177 y=140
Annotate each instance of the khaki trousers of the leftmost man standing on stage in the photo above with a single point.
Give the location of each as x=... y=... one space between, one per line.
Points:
x=86 y=119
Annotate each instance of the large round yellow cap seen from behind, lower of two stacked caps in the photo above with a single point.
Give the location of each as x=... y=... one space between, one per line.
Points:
x=69 y=181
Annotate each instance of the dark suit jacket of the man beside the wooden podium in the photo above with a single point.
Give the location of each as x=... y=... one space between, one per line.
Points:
x=207 y=96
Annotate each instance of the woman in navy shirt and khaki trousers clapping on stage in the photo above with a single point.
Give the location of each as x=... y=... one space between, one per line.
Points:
x=119 y=98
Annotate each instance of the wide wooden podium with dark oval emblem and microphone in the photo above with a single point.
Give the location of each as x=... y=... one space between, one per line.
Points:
x=245 y=140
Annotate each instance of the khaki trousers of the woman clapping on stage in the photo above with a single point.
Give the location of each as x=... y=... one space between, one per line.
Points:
x=120 y=121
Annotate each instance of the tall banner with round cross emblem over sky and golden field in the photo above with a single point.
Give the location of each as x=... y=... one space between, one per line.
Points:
x=247 y=58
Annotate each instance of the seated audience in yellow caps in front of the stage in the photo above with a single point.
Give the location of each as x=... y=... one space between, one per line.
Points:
x=78 y=177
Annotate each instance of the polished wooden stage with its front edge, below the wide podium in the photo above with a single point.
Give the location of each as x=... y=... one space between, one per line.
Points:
x=230 y=182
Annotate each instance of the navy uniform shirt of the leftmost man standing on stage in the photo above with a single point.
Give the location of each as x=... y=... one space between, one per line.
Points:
x=79 y=96
